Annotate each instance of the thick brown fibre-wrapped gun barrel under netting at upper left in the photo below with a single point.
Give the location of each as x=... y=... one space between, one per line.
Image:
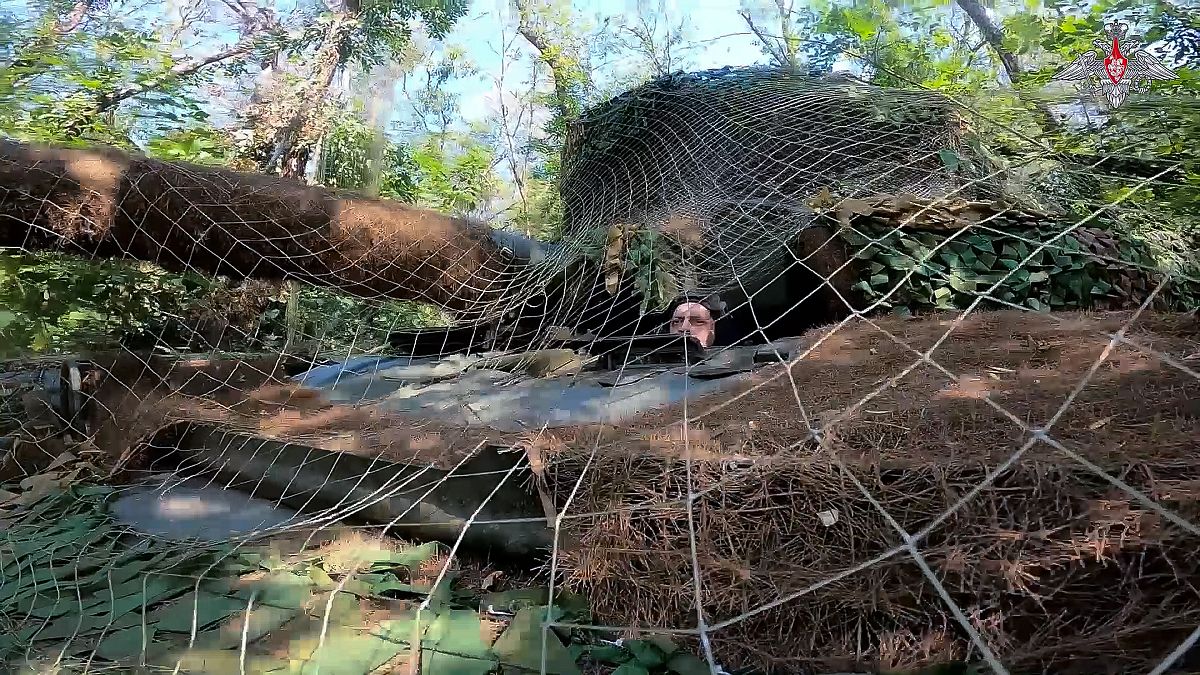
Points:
x=109 y=205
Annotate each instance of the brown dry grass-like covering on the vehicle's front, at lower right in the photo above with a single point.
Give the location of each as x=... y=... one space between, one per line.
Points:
x=1053 y=564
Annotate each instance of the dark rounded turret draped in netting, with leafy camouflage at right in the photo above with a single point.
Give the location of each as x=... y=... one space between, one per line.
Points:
x=719 y=174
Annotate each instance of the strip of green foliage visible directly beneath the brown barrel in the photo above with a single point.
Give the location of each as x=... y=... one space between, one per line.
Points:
x=61 y=304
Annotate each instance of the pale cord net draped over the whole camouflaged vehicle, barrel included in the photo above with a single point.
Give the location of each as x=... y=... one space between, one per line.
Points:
x=553 y=485
